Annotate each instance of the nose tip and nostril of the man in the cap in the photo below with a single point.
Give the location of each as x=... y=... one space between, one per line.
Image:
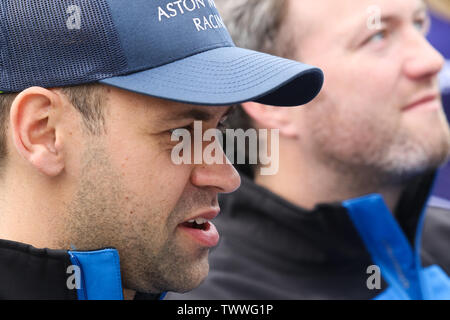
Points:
x=223 y=177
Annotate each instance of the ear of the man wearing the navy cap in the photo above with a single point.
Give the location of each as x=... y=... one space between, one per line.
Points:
x=32 y=120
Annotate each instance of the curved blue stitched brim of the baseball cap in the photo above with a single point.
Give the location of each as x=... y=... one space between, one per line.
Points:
x=227 y=76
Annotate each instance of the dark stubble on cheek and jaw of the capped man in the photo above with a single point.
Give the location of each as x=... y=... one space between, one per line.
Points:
x=97 y=217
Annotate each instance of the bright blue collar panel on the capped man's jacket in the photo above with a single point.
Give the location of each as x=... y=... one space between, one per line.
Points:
x=100 y=274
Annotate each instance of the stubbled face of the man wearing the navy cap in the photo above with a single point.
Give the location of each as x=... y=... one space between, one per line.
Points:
x=131 y=196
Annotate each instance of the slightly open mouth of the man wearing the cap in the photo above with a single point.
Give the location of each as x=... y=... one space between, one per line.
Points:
x=201 y=229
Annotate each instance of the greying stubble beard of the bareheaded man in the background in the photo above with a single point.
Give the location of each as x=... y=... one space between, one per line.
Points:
x=370 y=158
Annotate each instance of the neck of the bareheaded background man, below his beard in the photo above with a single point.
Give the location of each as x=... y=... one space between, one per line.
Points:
x=309 y=182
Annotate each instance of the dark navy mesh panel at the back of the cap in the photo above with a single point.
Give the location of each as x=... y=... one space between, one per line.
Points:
x=37 y=47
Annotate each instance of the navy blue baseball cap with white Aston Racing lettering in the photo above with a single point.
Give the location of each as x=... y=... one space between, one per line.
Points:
x=176 y=50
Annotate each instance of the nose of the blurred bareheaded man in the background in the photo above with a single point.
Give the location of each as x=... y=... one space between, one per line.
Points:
x=423 y=61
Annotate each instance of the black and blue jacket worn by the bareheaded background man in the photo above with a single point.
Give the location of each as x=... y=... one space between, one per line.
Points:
x=272 y=249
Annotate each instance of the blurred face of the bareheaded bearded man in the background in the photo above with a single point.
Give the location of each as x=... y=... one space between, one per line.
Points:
x=371 y=76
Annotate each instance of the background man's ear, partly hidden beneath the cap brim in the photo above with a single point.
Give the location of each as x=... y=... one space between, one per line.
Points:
x=272 y=117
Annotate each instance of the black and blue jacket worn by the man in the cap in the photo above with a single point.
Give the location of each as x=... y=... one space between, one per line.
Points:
x=30 y=273
